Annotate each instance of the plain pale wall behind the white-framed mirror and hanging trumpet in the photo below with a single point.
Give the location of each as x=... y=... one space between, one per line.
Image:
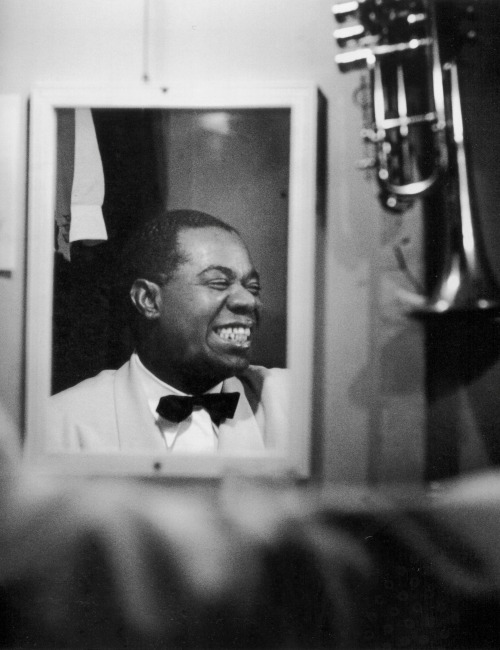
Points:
x=56 y=42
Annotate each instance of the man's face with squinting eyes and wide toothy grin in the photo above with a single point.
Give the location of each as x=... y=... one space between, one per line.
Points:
x=209 y=308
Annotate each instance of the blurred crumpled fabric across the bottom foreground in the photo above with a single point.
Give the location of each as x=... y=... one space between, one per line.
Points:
x=246 y=564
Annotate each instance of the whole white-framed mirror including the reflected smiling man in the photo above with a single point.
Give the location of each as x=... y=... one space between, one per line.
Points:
x=129 y=333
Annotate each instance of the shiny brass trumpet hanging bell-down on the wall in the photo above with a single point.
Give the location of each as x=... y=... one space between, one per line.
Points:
x=417 y=131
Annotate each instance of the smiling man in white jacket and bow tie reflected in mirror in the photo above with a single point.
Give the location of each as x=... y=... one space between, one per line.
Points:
x=189 y=387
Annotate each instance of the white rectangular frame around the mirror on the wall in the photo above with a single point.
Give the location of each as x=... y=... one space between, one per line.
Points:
x=303 y=102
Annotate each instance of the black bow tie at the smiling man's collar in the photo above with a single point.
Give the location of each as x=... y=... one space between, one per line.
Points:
x=179 y=407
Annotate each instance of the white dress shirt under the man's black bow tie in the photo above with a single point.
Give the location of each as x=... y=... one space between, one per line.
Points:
x=195 y=434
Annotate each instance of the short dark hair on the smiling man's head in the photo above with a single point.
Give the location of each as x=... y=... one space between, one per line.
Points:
x=153 y=247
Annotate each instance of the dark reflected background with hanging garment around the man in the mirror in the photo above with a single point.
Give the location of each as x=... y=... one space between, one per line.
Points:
x=232 y=164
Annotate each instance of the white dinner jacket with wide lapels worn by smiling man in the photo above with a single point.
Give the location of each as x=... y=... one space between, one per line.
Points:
x=109 y=413
